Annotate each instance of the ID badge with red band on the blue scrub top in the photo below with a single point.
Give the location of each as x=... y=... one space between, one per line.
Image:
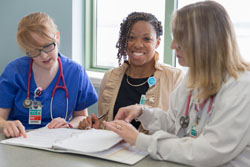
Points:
x=35 y=113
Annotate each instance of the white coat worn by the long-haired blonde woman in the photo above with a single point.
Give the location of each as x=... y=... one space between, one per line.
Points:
x=225 y=131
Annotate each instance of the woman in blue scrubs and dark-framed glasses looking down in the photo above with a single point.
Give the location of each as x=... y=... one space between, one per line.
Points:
x=43 y=87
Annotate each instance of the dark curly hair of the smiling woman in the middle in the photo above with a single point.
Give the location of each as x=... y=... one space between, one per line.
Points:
x=126 y=26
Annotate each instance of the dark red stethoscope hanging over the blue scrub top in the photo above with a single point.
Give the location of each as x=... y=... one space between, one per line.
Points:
x=28 y=102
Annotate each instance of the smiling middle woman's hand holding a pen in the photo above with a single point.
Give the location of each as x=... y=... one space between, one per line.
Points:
x=90 y=122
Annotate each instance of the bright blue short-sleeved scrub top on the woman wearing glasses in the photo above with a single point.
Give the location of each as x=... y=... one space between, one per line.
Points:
x=13 y=91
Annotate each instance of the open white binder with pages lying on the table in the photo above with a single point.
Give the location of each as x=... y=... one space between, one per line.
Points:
x=98 y=143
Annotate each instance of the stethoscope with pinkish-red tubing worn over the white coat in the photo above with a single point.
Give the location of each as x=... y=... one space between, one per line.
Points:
x=184 y=120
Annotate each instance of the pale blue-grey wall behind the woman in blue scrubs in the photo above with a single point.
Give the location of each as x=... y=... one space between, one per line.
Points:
x=11 y=11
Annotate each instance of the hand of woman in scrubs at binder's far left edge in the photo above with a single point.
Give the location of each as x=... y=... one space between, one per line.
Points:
x=14 y=129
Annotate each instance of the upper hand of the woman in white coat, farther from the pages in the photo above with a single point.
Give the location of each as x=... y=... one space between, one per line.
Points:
x=129 y=113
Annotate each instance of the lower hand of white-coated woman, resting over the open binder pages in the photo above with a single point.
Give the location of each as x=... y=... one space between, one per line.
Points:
x=123 y=129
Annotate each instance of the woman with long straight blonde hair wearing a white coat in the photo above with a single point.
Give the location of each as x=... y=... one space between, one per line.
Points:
x=207 y=123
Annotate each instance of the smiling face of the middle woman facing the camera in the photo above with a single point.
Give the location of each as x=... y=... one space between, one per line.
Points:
x=142 y=43
